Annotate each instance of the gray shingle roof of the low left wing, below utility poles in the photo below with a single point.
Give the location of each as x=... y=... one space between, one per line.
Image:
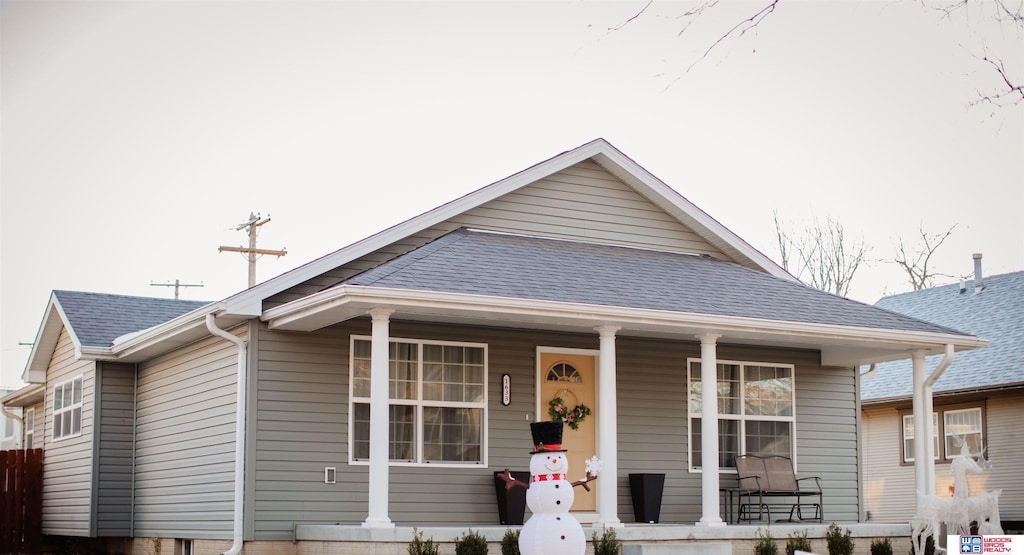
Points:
x=99 y=319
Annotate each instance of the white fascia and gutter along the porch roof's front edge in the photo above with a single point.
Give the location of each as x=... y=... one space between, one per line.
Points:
x=289 y=316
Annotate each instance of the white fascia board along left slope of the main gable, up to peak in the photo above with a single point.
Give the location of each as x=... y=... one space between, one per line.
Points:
x=249 y=303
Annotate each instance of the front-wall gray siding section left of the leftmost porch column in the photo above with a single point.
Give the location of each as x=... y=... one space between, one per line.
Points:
x=302 y=411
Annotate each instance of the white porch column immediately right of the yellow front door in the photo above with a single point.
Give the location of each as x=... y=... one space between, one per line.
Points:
x=608 y=424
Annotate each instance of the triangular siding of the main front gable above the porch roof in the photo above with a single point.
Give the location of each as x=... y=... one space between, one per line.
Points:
x=581 y=203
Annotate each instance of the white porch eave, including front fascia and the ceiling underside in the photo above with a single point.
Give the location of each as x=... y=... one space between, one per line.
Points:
x=840 y=346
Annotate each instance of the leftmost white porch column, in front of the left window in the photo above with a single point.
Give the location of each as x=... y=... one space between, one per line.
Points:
x=379 y=421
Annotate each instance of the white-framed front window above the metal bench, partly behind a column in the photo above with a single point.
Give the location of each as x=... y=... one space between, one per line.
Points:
x=756 y=415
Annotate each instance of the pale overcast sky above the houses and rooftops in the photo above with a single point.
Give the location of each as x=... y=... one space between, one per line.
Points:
x=136 y=137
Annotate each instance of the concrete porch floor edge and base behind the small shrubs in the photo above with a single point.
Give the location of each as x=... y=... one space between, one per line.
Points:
x=637 y=539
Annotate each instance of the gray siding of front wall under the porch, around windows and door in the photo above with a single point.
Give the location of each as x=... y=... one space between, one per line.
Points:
x=303 y=428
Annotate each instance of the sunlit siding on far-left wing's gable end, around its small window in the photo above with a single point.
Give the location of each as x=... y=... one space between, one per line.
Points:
x=68 y=462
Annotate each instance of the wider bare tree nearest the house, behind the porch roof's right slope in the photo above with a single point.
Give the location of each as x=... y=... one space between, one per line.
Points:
x=823 y=253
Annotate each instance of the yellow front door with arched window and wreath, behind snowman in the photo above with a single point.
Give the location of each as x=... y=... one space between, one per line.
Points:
x=571 y=376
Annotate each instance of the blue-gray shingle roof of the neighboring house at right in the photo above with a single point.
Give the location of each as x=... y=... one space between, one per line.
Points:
x=996 y=314
